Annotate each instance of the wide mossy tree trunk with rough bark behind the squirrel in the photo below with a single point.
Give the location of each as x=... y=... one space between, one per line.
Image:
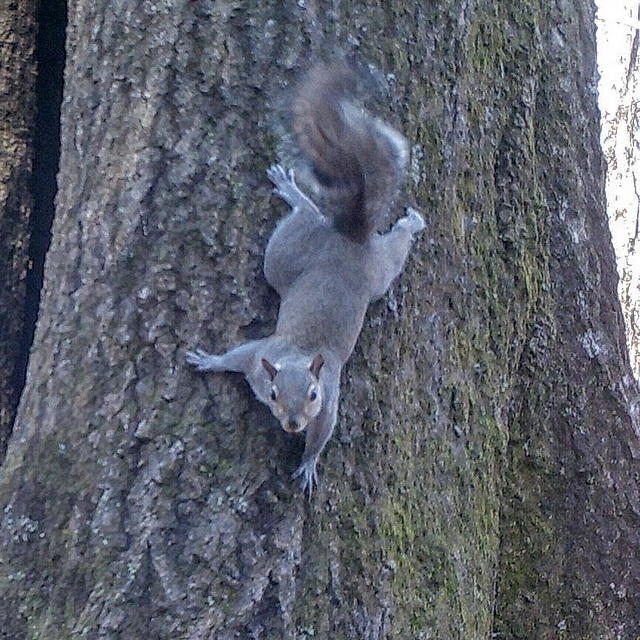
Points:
x=483 y=478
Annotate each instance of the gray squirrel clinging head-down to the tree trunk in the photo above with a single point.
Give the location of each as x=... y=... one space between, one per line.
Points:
x=327 y=261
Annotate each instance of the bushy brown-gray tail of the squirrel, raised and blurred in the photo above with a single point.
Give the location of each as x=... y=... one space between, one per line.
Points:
x=357 y=160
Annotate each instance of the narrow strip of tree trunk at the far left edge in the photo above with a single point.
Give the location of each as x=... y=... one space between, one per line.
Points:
x=17 y=114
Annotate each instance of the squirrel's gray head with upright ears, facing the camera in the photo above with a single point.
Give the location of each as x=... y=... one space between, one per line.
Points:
x=295 y=397
